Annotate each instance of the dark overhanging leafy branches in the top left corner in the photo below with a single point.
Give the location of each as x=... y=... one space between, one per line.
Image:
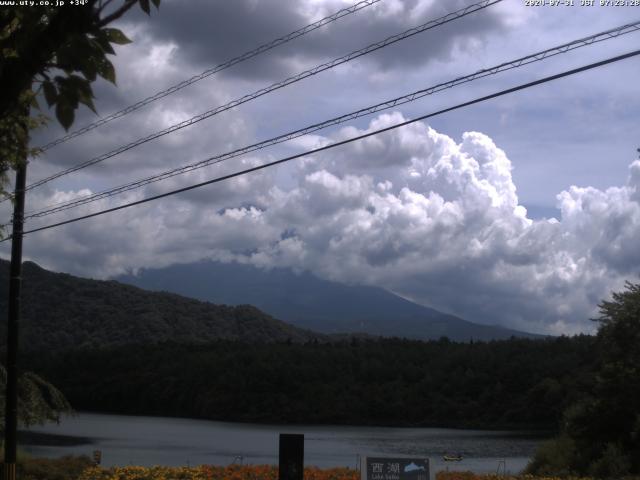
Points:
x=56 y=51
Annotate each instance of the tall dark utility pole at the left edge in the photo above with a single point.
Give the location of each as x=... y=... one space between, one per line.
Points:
x=15 y=284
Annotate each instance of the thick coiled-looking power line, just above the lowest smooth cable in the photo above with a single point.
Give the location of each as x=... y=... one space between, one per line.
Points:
x=535 y=57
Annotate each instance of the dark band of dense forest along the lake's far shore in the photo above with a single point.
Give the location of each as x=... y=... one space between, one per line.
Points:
x=504 y=384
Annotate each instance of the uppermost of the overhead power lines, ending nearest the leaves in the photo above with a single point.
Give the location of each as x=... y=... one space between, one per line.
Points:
x=207 y=73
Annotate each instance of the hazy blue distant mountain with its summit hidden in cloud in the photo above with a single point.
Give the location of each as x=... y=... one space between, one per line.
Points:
x=309 y=302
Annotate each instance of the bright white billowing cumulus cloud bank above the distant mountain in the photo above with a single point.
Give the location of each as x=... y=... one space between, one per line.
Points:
x=413 y=210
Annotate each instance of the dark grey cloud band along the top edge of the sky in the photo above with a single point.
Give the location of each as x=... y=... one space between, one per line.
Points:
x=209 y=33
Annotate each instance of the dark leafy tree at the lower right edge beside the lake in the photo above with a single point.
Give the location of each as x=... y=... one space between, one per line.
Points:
x=601 y=433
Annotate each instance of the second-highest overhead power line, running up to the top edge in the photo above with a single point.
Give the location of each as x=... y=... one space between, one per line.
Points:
x=296 y=78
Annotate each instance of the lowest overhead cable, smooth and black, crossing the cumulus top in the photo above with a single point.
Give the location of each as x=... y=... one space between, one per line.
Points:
x=343 y=142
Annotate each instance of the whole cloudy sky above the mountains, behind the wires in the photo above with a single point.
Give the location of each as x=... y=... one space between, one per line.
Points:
x=520 y=211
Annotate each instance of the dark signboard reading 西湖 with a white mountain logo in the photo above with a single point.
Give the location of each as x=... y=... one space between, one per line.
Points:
x=394 y=468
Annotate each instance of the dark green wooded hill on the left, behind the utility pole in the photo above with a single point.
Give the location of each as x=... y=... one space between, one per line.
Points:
x=60 y=311
